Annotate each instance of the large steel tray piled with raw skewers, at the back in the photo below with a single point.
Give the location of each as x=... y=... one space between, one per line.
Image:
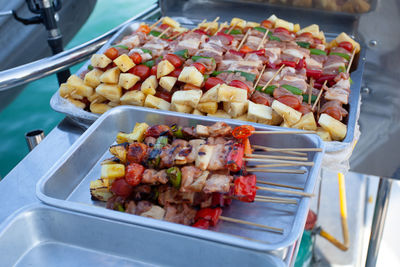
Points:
x=63 y=106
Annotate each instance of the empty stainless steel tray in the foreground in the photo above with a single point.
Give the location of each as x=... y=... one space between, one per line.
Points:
x=43 y=236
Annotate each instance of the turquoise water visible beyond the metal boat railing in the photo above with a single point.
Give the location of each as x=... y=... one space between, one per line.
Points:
x=31 y=109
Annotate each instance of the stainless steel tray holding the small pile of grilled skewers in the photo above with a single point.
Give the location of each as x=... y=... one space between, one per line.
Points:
x=66 y=185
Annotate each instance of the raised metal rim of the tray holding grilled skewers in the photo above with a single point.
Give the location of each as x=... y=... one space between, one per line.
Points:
x=218 y=237
